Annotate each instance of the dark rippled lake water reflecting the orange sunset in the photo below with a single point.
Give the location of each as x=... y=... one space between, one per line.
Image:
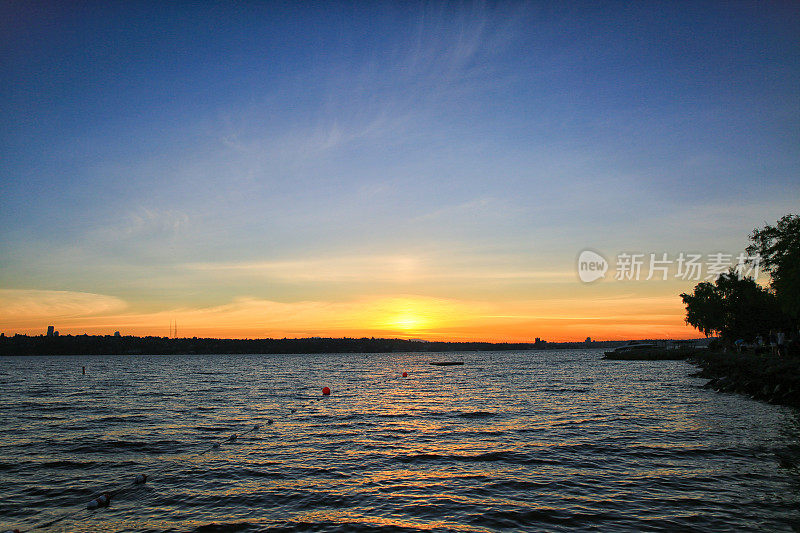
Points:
x=537 y=441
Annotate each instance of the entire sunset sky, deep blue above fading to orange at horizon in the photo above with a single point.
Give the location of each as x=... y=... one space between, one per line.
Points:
x=401 y=169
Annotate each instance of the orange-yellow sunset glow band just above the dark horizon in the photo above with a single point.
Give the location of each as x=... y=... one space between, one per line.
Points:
x=403 y=316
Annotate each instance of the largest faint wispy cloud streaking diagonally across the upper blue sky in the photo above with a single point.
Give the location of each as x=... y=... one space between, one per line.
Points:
x=394 y=98
